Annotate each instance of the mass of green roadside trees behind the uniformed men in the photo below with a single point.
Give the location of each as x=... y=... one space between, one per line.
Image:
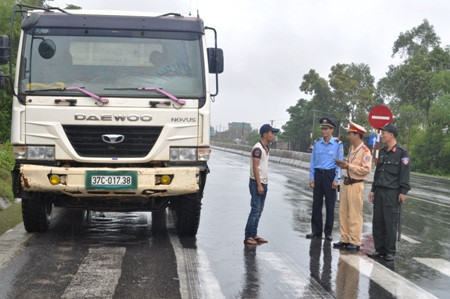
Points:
x=417 y=90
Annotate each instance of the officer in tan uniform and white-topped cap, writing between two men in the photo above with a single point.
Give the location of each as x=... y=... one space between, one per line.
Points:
x=358 y=165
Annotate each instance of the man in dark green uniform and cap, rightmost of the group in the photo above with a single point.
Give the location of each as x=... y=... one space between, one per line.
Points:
x=389 y=188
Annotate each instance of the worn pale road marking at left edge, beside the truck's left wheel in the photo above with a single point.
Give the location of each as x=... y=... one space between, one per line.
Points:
x=12 y=243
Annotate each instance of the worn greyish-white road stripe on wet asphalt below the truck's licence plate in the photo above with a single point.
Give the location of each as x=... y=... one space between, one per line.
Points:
x=98 y=275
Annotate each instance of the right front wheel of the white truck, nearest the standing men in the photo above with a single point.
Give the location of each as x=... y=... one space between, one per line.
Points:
x=188 y=214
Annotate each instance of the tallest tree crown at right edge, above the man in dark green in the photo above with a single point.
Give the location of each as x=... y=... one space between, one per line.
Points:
x=413 y=81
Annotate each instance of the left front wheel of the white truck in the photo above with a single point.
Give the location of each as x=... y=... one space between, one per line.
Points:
x=36 y=213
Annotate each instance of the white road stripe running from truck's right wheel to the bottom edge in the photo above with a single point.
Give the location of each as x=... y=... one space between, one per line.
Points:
x=194 y=270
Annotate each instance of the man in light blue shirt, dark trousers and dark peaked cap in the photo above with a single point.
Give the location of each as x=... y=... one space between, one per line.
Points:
x=324 y=175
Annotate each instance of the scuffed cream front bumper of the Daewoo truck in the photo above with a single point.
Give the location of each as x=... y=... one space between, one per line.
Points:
x=36 y=178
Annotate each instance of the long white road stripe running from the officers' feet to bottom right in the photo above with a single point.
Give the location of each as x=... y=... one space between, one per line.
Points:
x=392 y=282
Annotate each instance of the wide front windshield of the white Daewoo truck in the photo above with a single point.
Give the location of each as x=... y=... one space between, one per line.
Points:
x=105 y=62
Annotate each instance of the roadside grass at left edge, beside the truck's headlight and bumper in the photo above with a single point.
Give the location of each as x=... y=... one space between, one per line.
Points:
x=6 y=165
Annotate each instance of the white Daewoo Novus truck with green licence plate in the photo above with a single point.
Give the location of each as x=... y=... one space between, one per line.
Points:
x=110 y=112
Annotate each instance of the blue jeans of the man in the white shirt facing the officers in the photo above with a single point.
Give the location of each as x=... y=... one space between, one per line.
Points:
x=257 y=206
